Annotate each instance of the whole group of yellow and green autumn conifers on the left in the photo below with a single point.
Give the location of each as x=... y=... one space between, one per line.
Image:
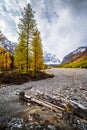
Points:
x=28 y=54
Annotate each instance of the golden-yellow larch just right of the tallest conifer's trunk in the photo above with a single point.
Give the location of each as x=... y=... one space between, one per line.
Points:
x=37 y=53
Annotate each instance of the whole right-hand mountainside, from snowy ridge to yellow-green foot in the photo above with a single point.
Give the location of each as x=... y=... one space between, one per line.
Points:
x=76 y=59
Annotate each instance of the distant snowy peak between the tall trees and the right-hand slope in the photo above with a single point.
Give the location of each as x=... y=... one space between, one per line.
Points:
x=50 y=59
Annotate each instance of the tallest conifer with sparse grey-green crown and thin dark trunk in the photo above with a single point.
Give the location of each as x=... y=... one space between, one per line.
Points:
x=27 y=26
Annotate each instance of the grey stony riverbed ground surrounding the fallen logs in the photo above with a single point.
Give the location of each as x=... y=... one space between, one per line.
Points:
x=67 y=83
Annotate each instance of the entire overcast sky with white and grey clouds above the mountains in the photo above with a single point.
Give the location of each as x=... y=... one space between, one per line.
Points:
x=62 y=23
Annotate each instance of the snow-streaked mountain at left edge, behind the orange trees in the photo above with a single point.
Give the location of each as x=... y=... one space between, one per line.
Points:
x=8 y=45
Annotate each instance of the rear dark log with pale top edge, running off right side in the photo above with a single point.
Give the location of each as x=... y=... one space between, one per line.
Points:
x=78 y=109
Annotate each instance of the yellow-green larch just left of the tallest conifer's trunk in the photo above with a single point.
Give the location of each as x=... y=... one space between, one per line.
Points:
x=20 y=53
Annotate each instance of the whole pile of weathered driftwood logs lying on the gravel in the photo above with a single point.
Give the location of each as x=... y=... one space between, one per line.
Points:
x=57 y=104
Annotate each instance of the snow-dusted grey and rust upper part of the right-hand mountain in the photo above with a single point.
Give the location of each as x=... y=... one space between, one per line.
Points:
x=74 y=55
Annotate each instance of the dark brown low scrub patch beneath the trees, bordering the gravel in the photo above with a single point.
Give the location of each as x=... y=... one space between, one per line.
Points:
x=20 y=78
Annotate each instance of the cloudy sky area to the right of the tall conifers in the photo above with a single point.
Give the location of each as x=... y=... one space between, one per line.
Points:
x=69 y=30
